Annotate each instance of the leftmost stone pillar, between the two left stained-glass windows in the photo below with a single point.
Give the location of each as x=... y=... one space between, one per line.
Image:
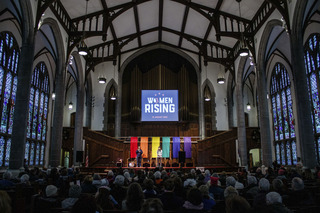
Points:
x=21 y=109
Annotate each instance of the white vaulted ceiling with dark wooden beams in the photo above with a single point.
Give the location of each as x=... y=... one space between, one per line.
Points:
x=210 y=28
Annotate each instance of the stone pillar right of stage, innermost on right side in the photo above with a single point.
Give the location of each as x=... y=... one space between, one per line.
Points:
x=242 y=137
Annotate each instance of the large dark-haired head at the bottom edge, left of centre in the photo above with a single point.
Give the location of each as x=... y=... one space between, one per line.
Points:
x=85 y=204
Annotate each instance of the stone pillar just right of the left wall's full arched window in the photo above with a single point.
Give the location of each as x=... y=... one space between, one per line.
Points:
x=56 y=137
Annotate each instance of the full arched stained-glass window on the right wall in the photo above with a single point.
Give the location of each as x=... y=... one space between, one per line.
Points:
x=283 y=121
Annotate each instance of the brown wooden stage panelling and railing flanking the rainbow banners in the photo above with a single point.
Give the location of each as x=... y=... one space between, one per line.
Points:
x=218 y=150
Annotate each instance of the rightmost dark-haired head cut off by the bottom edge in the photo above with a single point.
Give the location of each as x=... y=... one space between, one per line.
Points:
x=237 y=204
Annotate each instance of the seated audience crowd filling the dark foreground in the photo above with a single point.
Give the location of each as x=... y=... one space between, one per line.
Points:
x=261 y=189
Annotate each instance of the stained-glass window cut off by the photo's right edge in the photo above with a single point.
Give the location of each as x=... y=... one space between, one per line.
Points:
x=312 y=61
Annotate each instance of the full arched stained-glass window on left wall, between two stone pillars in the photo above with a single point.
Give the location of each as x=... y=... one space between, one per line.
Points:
x=38 y=114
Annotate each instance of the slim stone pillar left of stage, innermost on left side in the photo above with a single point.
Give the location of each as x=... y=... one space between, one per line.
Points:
x=78 y=129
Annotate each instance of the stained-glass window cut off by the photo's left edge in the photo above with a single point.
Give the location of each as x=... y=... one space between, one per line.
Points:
x=9 y=56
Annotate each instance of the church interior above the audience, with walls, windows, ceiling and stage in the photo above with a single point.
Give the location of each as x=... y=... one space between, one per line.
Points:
x=73 y=74
